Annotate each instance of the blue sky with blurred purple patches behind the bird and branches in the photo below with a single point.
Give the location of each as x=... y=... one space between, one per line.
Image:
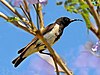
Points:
x=69 y=47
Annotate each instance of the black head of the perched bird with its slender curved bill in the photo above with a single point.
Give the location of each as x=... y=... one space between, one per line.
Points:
x=65 y=21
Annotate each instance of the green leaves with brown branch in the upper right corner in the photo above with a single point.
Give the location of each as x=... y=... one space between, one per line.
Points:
x=86 y=8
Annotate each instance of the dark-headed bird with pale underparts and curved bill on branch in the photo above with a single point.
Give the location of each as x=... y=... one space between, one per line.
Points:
x=51 y=33
